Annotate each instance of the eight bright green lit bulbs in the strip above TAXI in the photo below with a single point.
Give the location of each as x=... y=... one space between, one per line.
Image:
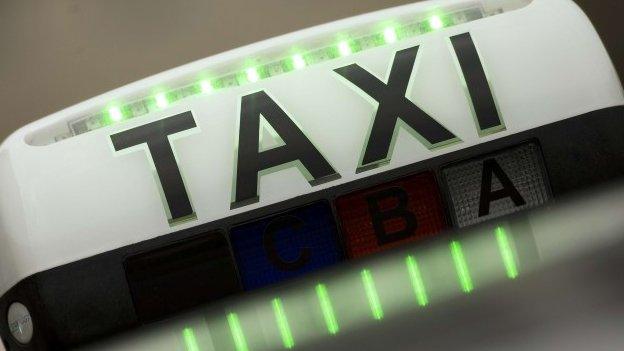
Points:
x=390 y=36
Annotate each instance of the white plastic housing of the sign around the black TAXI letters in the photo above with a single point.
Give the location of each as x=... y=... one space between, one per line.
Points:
x=76 y=198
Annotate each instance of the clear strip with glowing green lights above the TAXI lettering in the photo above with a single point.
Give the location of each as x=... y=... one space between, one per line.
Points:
x=117 y=113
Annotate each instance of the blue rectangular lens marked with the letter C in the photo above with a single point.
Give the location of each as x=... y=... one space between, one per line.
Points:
x=286 y=245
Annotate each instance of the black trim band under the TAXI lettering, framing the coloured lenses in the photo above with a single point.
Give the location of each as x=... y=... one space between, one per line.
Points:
x=90 y=298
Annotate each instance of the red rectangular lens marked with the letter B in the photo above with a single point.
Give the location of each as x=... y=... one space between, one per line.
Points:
x=389 y=215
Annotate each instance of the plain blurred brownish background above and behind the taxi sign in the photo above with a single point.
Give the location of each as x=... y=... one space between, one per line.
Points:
x=55 y=53
